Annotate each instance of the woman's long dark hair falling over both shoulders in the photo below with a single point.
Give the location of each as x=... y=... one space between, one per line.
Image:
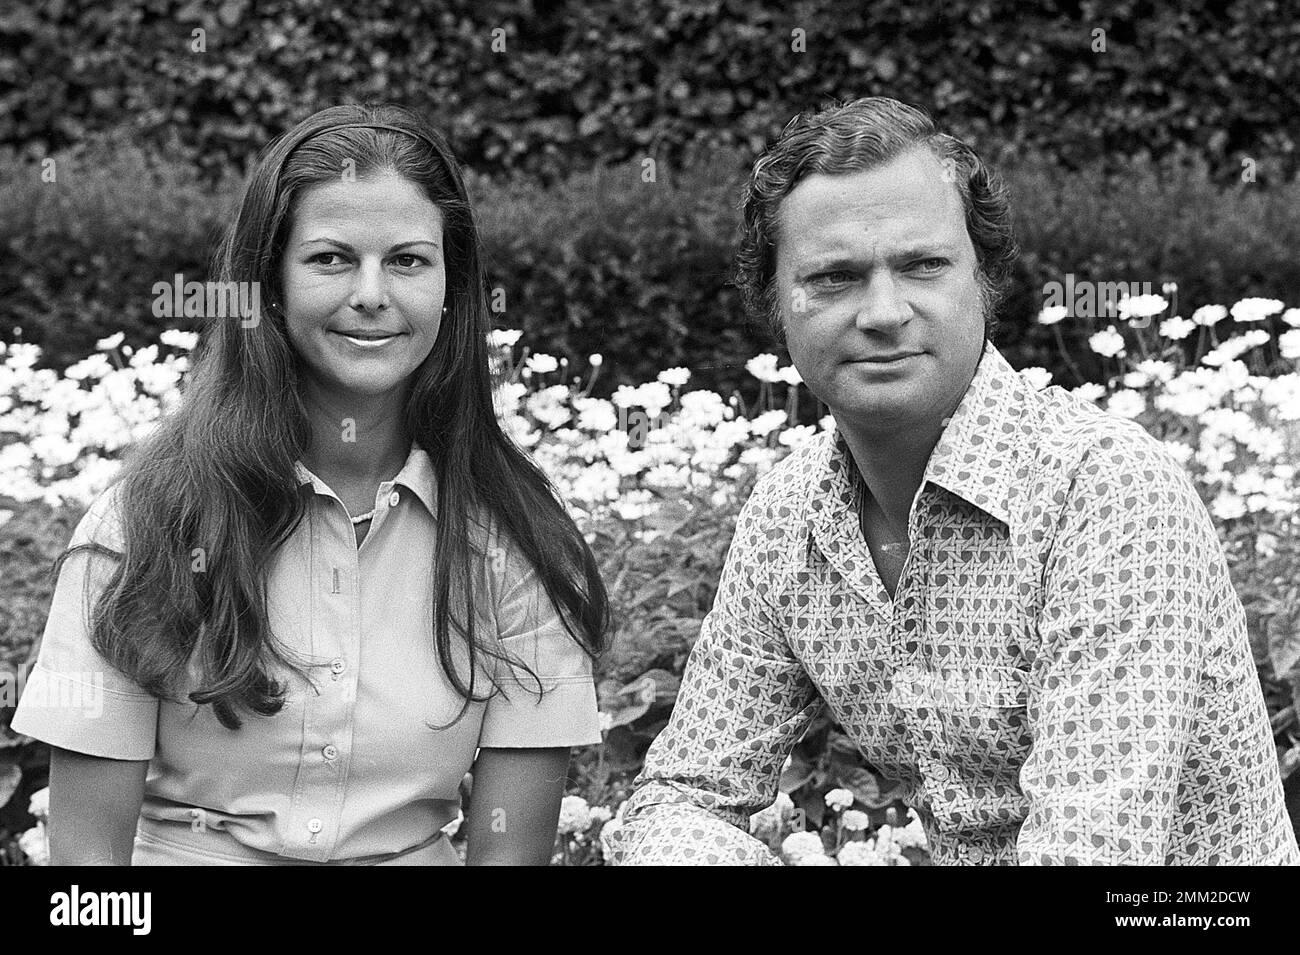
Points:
x=218 y=477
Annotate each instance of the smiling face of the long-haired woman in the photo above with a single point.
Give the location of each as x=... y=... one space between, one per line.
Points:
x=363 y=284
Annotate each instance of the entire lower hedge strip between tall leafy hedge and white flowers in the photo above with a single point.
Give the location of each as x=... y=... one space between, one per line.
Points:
x=635 y=271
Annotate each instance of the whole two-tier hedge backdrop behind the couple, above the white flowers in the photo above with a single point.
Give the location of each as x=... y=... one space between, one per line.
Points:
x=1143 y=142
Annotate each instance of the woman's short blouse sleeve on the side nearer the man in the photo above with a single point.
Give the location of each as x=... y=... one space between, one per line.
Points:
x=530 y=628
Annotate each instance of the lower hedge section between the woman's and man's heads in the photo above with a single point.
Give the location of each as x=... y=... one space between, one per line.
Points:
x=605 y=263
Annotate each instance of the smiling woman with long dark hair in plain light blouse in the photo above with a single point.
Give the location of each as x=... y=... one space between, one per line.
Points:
x=330 y=579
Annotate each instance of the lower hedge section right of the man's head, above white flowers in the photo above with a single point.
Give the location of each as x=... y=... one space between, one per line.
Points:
x=1142 y=223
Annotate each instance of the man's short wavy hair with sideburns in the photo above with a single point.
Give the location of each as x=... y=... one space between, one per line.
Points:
x=850 y=138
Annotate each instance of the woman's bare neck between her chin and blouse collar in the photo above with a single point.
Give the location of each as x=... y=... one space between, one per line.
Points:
x=356 y=444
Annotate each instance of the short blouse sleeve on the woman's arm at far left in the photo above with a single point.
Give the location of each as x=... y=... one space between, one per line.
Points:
x=73 y=698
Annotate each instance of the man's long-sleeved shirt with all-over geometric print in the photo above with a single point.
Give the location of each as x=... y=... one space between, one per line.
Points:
x=1061 y=678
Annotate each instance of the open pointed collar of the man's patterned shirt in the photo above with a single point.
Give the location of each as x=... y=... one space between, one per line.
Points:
x=977 y=453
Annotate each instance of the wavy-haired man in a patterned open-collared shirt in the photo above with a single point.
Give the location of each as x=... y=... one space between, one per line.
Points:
x=1013 y=602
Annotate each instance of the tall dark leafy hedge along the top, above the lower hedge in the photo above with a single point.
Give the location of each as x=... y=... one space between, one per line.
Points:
x=580 y=83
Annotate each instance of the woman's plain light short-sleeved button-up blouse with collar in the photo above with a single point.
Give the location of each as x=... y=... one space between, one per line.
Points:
x=353 y=770
